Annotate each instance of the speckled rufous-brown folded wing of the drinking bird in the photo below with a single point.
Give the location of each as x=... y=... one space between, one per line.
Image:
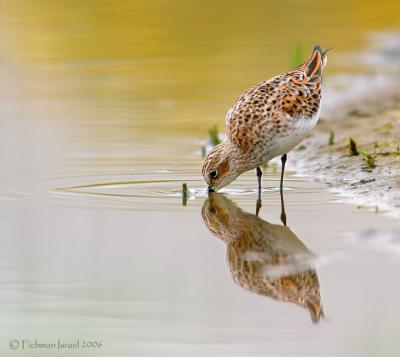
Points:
x=269 y=104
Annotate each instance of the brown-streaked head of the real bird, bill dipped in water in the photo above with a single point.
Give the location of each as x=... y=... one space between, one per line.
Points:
x=221 y=166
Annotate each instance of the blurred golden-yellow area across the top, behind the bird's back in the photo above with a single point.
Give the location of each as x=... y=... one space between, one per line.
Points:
x=168 y=65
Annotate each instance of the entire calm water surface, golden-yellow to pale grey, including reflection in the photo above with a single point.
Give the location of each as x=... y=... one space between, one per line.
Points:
x=102 y=122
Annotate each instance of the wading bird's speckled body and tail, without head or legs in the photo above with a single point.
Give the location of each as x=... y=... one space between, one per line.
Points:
x=285 y=106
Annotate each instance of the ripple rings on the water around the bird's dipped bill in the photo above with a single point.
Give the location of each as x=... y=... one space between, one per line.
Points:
x=165 y=189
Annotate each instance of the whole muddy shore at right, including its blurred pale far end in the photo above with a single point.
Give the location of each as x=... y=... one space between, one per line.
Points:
x=363 y=105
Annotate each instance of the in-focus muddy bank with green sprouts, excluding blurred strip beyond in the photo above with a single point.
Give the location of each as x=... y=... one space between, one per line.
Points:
x=371 y=178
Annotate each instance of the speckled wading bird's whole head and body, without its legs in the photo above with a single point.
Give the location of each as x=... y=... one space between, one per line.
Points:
x=268 y=120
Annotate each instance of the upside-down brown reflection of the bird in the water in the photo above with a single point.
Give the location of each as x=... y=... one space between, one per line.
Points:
x=267 y=259
